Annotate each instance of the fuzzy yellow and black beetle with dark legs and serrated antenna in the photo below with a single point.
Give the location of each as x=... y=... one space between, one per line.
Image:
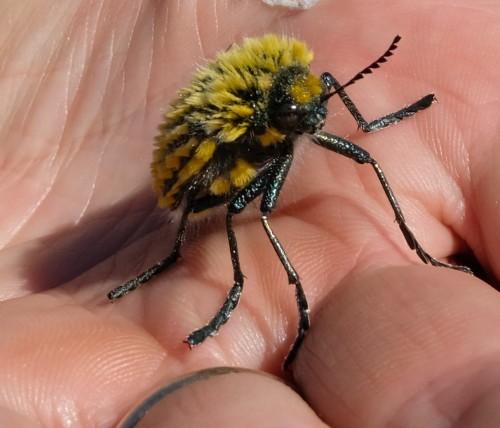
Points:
x=229 y=138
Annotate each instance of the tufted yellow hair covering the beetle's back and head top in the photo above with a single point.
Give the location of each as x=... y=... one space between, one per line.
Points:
x=227 y=105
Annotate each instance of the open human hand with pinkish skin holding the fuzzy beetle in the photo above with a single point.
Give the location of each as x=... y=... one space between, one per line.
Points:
x=393 y=343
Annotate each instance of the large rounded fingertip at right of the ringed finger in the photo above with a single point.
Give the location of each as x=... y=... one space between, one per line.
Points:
x=404 y=347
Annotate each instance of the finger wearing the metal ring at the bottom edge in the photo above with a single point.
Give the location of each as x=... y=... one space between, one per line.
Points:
x=224 y=397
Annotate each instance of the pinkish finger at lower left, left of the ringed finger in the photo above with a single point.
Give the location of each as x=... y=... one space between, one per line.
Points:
x=62 y=363
